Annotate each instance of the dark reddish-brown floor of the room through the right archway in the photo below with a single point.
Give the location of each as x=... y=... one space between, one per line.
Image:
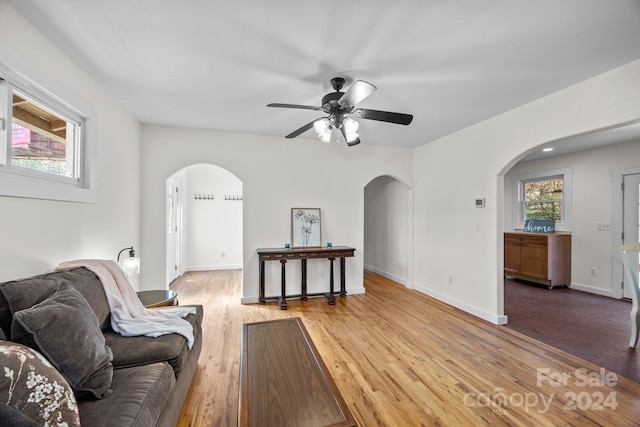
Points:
x=592 y=327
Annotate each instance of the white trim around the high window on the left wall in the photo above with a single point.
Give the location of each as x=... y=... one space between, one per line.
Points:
x=15 y=183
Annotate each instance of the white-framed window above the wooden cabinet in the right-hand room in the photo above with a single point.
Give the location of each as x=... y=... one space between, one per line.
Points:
x=544 y=196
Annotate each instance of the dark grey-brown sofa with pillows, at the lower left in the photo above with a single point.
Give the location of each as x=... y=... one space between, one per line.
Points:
x=149 y=377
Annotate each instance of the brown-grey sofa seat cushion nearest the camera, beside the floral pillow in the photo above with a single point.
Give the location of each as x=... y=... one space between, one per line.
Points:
x=139 y=397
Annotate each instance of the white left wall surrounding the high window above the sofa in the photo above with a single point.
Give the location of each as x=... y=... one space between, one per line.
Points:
x=36 y=235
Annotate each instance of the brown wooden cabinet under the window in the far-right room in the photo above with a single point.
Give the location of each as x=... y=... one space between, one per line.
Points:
x=540 y=258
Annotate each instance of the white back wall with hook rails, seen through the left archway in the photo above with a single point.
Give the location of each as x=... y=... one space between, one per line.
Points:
x=213 y=228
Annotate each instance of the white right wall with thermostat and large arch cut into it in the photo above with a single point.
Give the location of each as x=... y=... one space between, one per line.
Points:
x=458 y=247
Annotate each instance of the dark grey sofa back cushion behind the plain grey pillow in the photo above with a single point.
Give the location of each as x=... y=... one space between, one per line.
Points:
x=17 y=295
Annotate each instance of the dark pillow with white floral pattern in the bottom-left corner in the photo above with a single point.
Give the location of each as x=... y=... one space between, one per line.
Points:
x=32 y=392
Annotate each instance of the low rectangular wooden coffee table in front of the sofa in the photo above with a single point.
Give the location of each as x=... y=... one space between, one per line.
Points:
x=283 y=380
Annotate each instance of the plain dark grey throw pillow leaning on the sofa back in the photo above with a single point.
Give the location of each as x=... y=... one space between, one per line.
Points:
x=65 y=330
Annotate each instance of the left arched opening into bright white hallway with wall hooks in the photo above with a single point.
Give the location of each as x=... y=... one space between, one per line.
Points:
x=203 y=220
